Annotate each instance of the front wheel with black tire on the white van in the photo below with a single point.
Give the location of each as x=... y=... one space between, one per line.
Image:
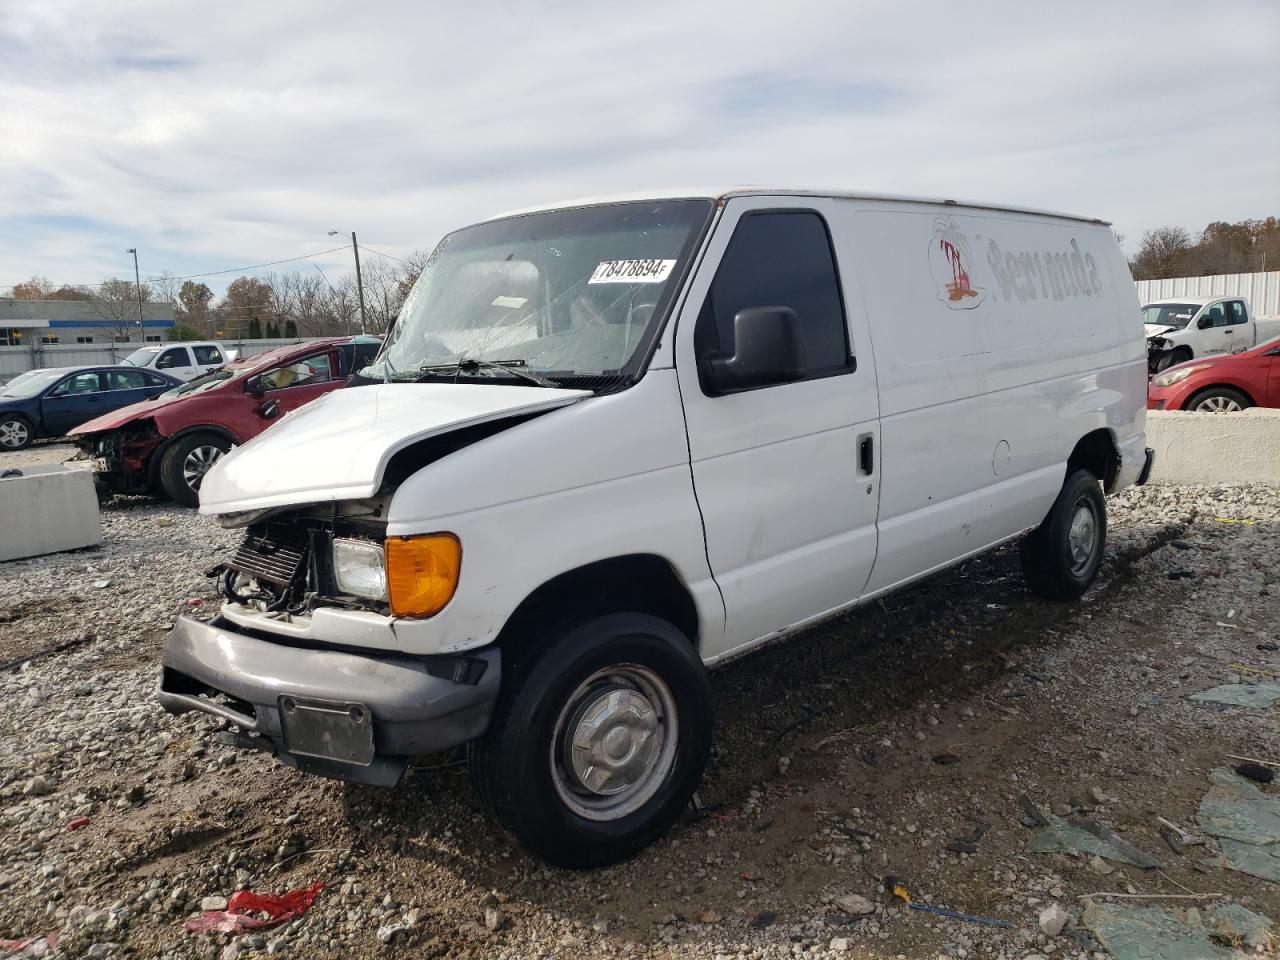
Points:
x=524 y=767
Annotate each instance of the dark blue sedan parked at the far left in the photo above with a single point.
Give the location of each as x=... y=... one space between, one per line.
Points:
x=44 y=404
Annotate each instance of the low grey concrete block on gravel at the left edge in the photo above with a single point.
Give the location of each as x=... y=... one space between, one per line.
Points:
x=47 y=510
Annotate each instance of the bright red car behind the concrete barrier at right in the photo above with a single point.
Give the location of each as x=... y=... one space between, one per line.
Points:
x=1220 y=385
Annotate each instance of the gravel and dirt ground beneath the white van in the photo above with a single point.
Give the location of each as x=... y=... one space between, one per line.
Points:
x=858 y=752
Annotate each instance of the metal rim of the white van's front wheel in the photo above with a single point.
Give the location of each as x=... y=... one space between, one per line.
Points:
x=615 y=743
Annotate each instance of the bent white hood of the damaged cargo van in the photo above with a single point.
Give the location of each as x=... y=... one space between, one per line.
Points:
x=337 y=447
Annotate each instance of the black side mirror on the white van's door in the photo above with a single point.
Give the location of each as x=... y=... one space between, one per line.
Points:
x=767 y=350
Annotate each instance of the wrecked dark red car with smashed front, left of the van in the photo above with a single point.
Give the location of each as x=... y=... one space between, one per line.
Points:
x=167 y=445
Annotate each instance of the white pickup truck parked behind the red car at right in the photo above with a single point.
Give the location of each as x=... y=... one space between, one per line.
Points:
x=1188 y=328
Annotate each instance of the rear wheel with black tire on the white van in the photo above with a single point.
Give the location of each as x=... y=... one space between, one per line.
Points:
x=1053 y=563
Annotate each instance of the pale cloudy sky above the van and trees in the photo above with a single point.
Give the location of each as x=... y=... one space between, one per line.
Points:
x=220 y=135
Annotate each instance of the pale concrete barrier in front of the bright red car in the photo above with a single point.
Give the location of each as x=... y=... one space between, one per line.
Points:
x=1215 y=449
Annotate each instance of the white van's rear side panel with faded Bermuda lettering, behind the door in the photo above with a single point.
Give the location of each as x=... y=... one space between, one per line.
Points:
x=1000 y=341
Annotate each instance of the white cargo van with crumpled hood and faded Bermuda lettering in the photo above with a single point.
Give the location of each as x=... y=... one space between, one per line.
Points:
x=615 y=444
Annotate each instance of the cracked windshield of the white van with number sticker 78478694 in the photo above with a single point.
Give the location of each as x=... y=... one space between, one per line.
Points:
x=575 y=298
